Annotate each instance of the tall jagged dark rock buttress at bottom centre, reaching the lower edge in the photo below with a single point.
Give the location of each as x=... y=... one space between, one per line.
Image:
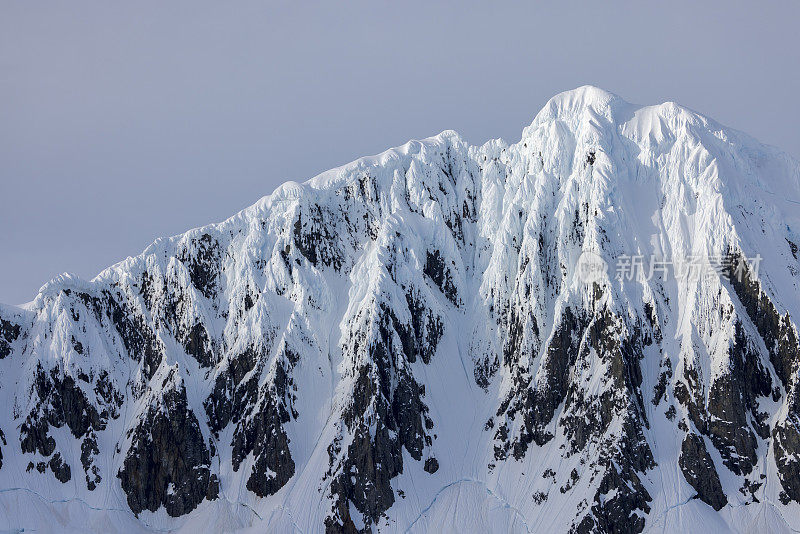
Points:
x=399 y=420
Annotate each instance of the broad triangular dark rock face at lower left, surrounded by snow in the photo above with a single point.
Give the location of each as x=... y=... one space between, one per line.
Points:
x=168 y=462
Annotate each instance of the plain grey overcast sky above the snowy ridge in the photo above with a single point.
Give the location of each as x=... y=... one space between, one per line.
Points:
x=124 y=121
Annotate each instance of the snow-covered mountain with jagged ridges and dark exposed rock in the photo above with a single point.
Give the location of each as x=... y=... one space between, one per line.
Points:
x=412 y=342
